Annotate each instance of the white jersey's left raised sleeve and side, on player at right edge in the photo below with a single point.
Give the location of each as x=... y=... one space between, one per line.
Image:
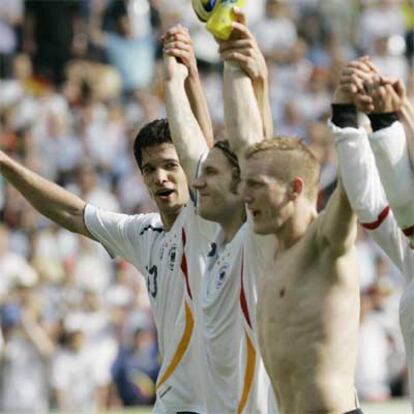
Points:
x=367 y=196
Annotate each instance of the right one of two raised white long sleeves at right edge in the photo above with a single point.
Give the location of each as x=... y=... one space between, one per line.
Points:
x=390 y=149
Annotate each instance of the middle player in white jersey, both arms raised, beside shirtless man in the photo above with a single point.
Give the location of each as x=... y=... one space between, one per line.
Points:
x=235 y=378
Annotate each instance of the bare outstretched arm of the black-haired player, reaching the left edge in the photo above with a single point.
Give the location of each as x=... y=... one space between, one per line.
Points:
x=49 y=199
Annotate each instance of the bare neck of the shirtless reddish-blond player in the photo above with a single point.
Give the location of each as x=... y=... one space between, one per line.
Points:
x=296 y=226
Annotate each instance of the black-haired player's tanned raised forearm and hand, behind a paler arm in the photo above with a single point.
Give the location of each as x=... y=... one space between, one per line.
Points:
x=178 y=43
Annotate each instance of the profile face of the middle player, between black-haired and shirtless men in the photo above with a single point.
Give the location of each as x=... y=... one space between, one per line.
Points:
x=217 y=197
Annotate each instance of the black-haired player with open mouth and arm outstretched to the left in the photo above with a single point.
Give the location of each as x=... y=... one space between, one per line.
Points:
x=168 y=248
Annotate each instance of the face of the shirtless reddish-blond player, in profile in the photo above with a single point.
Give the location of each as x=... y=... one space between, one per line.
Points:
x=266 y=197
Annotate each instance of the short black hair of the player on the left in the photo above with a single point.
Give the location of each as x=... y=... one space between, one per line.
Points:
x=152 y=134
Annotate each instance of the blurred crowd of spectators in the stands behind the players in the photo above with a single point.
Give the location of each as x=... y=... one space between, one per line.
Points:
x=77 y=80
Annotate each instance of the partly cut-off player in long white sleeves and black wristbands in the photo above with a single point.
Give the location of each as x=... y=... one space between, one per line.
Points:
x=377 y=174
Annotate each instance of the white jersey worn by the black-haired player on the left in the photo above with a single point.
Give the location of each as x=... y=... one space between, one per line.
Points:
x=172 y=263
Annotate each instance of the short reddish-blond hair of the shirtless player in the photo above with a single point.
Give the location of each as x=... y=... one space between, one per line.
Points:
x=296 y=161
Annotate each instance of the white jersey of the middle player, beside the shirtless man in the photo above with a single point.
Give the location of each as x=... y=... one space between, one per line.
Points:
x=237 y=382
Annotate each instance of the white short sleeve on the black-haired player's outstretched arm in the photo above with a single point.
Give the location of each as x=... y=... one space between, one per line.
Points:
x=123 y=235
